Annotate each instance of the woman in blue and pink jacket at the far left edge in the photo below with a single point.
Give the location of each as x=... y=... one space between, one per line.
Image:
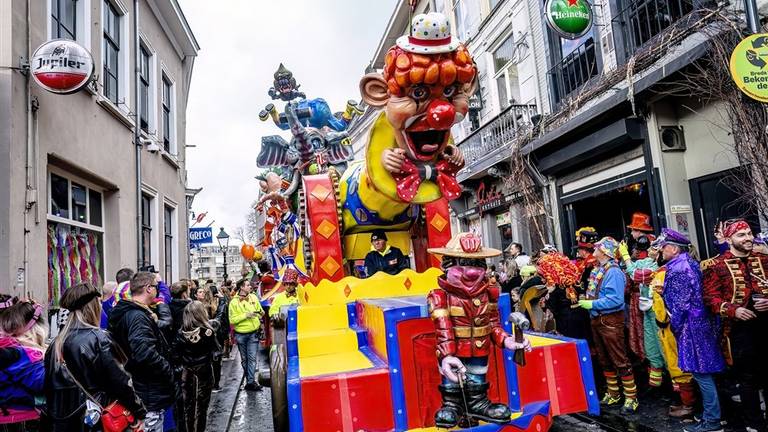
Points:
x=22 y=346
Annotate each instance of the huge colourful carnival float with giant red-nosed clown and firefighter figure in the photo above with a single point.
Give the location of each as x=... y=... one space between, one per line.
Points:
x=370 y=354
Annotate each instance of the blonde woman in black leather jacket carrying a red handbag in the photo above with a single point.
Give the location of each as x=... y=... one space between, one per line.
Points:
x=82 y=363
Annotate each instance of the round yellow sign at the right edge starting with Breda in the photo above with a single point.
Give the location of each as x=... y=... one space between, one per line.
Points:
x=749 y=66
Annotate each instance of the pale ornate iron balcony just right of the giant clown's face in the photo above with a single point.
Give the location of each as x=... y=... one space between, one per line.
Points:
x=485 y=146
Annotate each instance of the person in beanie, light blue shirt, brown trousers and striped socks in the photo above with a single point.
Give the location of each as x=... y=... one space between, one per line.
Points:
x=605 y=303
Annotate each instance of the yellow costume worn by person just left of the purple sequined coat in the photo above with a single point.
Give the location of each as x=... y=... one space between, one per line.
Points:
x=682 y=381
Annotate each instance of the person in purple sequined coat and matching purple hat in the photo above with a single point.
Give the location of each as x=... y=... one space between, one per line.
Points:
x=694 y=327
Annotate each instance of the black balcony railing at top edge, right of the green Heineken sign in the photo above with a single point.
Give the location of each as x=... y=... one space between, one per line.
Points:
x=644 y=19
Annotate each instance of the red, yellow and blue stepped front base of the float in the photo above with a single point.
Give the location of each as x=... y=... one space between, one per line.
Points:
x=361 y=352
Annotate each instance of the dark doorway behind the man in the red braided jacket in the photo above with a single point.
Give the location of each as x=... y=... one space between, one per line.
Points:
x=715 y=198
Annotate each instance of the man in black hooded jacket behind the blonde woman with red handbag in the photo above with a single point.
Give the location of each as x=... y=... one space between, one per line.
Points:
x=134 y=326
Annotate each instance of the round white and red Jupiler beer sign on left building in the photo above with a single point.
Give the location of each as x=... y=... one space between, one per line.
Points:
x=61 y=66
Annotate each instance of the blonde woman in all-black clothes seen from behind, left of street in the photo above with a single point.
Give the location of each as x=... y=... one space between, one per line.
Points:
x=195 y=345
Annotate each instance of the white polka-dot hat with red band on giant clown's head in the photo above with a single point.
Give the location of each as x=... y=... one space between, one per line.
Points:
x=430 y=34
